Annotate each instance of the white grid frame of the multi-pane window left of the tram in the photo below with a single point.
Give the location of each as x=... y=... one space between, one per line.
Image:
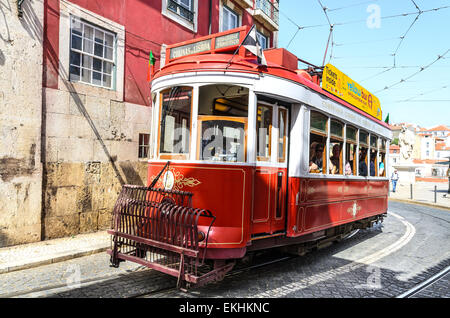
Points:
x=92 y=55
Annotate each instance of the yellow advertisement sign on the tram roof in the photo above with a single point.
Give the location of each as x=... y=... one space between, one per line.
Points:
x=342 y=86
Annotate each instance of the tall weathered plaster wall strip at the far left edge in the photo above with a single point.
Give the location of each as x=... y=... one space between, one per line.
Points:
x=20 y=121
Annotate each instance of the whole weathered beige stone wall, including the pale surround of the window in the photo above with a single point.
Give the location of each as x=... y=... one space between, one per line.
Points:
x=65 y=151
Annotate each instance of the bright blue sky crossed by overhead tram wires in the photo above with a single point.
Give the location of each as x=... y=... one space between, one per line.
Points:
x=366 y=52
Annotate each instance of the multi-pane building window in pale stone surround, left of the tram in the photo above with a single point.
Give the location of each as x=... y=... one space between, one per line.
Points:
x=91 y=54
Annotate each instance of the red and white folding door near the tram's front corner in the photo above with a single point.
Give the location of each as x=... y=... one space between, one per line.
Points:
x=269 y=188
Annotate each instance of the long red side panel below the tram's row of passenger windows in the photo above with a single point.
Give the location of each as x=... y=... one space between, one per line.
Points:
x=318 y=204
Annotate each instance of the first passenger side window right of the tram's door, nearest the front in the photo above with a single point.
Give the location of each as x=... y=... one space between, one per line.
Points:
x=317 y=140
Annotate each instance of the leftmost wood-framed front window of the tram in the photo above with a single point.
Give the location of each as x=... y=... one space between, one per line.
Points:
x=175 y=122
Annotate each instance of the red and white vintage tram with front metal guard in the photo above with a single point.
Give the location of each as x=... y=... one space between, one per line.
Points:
x=259 y=157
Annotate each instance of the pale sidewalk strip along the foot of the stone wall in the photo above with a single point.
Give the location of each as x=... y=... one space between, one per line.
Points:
x=30 y=255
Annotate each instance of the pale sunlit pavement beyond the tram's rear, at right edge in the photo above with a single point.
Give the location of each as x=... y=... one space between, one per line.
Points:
x=423 y=193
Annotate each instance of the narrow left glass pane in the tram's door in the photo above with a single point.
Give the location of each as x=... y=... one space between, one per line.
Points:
x=264 y=132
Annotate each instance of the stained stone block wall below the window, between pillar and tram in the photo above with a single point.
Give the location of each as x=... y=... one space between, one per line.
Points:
x=91 y=150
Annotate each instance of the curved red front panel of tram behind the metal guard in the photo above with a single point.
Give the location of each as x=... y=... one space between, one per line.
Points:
x=224 y=190
